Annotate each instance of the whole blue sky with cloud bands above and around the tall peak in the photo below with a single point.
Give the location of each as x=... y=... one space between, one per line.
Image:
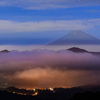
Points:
x=26 y=22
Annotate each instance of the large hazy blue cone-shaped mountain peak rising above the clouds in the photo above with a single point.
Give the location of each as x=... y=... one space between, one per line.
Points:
x=77 y=37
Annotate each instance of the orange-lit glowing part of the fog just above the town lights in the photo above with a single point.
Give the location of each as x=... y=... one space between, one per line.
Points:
x=46 y=78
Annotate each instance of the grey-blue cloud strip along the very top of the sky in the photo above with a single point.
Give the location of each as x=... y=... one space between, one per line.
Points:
x=48 y=4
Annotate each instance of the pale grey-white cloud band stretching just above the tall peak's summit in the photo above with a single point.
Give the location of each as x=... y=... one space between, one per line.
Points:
x=7 y=26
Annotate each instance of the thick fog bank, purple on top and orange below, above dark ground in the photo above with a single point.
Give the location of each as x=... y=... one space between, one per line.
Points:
x=48 y=68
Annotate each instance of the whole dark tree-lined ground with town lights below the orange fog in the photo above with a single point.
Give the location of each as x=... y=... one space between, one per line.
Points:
x=75 y=93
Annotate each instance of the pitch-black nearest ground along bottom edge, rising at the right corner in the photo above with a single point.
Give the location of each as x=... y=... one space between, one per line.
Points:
x=4 y=95
